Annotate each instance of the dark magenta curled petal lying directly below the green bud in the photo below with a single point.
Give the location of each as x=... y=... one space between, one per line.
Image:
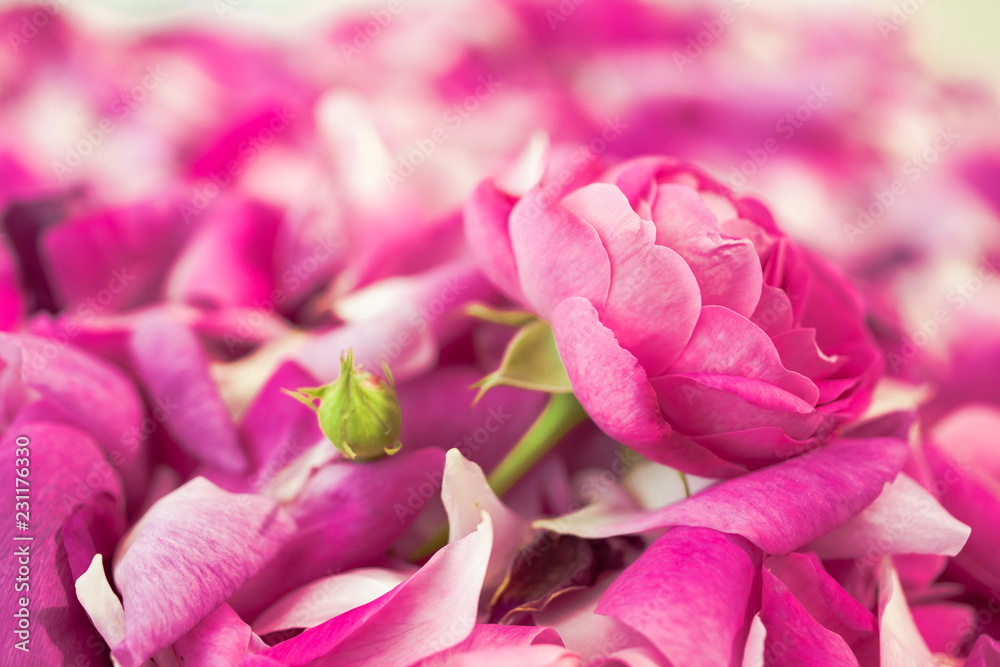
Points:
x=347 y=516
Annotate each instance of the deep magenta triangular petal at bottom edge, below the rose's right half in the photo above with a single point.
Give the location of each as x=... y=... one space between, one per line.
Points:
x=795 y=638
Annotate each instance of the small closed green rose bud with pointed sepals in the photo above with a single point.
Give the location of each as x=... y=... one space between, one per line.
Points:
x=358 y=412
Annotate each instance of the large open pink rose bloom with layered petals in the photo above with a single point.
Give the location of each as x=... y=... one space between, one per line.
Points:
x=691 y=328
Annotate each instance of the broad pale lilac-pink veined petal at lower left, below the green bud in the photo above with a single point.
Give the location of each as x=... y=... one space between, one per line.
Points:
x=186 y=556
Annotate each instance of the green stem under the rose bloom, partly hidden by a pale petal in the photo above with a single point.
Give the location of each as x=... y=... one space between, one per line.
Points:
x=560 y=415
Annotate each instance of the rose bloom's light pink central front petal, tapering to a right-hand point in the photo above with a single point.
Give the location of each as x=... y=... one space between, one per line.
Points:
x=726 y=343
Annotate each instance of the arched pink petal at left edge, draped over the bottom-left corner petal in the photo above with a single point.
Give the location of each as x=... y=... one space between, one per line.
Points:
x=82 y=391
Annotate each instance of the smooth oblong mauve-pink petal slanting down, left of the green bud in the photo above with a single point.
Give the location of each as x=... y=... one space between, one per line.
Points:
x=174 y=368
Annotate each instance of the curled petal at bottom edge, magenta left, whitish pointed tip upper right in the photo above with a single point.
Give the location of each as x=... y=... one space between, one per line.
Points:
x=430 y=612
